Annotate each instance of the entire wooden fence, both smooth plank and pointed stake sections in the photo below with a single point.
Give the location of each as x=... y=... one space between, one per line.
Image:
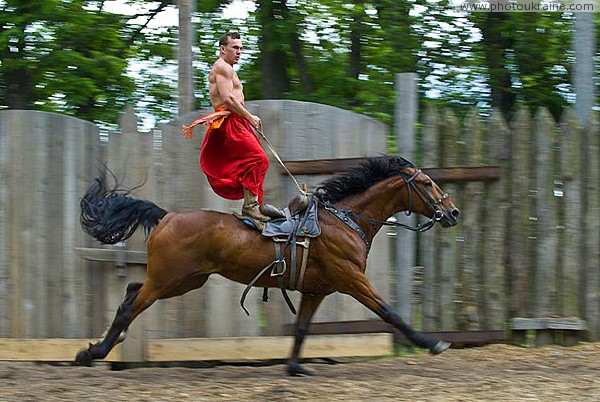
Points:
x=528 y=244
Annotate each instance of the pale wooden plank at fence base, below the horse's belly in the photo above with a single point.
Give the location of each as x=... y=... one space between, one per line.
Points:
x=256 y=348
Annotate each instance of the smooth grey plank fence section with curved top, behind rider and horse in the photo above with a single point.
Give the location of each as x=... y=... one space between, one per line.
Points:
x=54 y=283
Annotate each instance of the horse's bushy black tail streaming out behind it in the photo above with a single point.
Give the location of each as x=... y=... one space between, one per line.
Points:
x=110 y=215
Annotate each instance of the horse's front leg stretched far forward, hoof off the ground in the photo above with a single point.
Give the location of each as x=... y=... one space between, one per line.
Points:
x=360 y=288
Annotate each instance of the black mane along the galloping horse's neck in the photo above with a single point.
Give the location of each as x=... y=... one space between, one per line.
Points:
x=361 y=178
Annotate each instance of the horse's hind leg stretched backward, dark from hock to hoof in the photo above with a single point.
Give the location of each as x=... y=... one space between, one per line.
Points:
x=131 y=307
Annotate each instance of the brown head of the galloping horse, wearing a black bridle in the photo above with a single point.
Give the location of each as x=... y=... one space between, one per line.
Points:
x=427 y=198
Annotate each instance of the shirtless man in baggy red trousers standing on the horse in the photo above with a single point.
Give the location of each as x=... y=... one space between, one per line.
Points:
x=232 y=157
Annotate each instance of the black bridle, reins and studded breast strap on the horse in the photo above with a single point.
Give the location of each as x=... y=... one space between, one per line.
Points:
x=411 y=185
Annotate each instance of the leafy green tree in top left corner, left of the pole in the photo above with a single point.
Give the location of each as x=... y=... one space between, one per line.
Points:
x=63 y=56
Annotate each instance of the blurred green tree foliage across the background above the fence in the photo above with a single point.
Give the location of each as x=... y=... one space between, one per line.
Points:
x=75 y=57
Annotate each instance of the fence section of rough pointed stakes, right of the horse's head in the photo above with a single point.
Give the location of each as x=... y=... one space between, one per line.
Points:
x=528 y=244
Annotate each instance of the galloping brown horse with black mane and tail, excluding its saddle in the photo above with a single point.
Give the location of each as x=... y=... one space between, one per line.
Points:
x=185 y=248
